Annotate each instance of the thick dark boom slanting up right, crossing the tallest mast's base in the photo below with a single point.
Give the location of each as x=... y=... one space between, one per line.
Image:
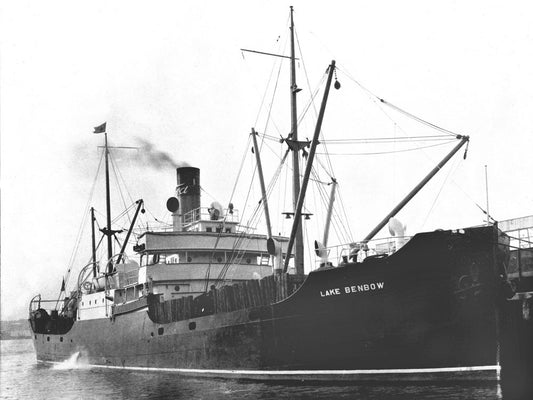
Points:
x=298 y=212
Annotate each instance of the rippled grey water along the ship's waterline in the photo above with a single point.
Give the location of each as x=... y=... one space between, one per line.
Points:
x=22 y=378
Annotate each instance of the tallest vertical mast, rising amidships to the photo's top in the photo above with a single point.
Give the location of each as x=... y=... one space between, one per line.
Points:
x=298 y=246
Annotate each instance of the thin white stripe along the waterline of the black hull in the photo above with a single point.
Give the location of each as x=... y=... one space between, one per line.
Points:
x=495 y=368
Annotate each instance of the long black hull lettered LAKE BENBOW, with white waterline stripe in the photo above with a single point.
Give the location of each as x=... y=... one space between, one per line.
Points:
x=428 y=312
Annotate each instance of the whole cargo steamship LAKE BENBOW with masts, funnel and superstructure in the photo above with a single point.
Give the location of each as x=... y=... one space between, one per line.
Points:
x=206 y=297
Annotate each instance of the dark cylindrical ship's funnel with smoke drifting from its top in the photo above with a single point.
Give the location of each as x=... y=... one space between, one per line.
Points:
x=188 y=192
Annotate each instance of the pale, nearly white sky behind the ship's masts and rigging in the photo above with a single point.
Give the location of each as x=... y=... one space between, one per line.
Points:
x=171 y=75
